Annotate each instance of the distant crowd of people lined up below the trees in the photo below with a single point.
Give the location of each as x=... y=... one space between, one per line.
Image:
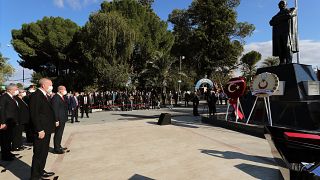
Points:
x=134 y=100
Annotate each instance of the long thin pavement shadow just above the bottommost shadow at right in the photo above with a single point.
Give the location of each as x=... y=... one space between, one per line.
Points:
x=237 y=155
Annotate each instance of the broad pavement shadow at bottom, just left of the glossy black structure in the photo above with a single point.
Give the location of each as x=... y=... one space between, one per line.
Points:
x=259 y=172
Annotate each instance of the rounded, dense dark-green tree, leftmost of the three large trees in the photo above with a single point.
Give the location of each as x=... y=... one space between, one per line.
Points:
x=43 y=46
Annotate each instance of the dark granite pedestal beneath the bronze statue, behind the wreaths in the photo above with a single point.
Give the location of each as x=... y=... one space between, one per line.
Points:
x=293 y=109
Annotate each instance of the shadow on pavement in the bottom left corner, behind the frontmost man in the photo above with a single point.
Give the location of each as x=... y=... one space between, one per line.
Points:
x=17 y=167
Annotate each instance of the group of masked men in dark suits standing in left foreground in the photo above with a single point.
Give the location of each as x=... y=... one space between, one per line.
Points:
x=39 y=113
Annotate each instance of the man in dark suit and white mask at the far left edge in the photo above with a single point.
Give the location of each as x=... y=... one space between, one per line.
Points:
x=9 y=115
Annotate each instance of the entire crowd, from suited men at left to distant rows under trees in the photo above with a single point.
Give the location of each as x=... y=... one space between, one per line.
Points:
x=40 y=113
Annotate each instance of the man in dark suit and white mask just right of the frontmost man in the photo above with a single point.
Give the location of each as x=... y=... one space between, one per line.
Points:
x=60 y=107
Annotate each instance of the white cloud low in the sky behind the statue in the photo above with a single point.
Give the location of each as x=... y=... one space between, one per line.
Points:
x=308 y=51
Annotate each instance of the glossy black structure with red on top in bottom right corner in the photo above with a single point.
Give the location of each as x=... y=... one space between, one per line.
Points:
x=290 y=153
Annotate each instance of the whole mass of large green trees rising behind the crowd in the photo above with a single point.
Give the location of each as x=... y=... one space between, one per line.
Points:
x=126 y=40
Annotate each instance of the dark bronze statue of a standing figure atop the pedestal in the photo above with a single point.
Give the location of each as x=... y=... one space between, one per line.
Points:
x=284 y=33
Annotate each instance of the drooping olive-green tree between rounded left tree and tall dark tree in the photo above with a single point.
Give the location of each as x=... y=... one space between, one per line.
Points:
x=107 y=45
